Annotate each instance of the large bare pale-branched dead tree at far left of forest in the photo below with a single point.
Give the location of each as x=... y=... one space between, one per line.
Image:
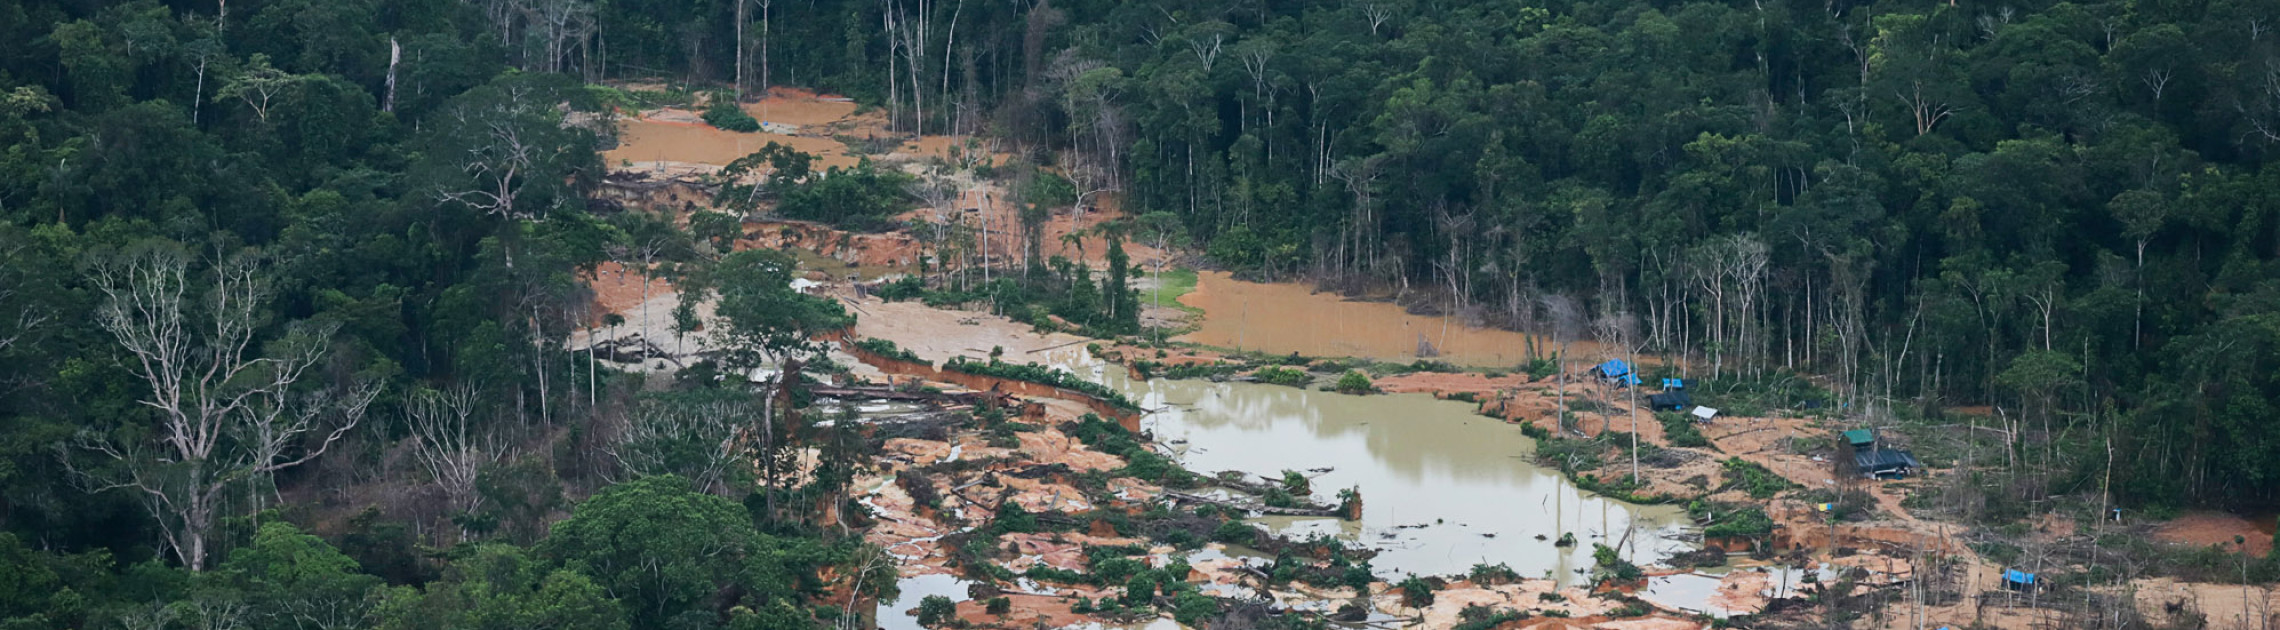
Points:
x=222 y=405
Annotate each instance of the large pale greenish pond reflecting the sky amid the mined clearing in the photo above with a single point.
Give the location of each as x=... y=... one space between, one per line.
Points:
x=1442 y=487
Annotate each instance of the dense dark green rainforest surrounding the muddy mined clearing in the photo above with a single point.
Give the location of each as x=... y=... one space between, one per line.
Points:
x=261 y=257
